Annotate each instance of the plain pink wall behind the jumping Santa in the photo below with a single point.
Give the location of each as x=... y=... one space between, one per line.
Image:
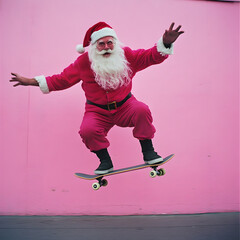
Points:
x=193 y=97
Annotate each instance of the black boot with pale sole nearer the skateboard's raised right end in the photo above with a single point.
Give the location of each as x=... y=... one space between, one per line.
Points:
x=149 y=155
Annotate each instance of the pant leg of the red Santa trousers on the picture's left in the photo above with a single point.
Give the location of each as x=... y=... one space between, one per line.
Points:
x=94 y=128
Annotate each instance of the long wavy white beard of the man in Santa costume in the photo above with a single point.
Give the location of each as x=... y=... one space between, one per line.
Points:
x=111 y=72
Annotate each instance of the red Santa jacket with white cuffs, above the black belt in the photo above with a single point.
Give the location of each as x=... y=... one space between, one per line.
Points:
x=80 y=71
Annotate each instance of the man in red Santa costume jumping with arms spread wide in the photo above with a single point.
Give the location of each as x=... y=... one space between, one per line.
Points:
x=106 y=72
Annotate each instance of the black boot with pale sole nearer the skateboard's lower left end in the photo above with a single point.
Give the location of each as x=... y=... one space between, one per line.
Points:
x=106 y=162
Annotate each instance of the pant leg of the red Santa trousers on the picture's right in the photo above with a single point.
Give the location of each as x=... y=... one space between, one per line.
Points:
x=136 y=114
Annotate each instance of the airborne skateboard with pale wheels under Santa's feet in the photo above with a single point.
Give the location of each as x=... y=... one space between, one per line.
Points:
x=103 y=182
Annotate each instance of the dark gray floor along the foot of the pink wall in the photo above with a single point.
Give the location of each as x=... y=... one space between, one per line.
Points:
x=220 y=226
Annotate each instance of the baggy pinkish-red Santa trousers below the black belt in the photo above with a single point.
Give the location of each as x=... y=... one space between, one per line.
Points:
x=97 y=122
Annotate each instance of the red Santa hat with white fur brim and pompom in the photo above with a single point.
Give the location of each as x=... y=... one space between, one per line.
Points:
x=94 y=33
